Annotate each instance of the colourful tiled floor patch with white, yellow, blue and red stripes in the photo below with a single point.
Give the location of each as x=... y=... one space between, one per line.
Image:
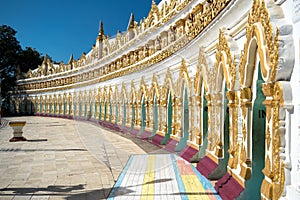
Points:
x=161 y=176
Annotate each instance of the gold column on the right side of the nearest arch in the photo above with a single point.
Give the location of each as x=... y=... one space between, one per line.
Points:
x=273 y=183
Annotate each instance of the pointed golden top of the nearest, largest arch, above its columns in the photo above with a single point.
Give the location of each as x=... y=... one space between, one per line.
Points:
x=259 y=37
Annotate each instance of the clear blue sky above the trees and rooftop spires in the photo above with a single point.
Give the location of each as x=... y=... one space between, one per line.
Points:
x=60 y=28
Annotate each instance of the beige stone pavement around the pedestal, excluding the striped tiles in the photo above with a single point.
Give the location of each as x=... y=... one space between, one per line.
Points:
x=63 y=159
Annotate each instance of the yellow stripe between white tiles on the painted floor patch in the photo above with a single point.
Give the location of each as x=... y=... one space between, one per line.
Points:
x=148 y=186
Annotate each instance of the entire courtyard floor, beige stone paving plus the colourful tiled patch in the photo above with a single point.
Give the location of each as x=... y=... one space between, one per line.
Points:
x=67 y=159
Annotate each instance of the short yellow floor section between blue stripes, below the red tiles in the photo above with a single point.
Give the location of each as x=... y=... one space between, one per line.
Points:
x=194 y=188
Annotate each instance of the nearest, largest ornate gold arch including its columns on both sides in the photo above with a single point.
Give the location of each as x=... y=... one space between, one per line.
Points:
x=261 y=40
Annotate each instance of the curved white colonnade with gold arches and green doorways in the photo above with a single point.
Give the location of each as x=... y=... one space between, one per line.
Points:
x=208 y=79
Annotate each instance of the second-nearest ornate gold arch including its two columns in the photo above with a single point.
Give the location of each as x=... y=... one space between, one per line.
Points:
x=226 y=68
